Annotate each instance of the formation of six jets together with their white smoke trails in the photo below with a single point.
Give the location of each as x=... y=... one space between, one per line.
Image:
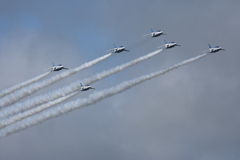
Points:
x=16 y=116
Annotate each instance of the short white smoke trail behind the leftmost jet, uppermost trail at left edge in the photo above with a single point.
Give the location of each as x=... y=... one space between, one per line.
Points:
x=23 y=84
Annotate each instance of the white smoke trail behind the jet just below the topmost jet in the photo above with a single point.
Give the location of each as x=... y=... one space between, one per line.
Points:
x=70 y=88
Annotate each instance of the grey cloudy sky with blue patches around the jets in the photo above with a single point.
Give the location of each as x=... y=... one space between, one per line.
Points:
x=191 y=113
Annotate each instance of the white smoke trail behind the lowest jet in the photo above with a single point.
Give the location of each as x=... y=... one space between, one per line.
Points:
x=7 y=121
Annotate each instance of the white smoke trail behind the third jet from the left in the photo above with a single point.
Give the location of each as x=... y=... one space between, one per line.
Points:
x=14 y=97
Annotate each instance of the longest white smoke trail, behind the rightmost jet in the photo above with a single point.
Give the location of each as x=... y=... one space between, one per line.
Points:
x=91 y=99
